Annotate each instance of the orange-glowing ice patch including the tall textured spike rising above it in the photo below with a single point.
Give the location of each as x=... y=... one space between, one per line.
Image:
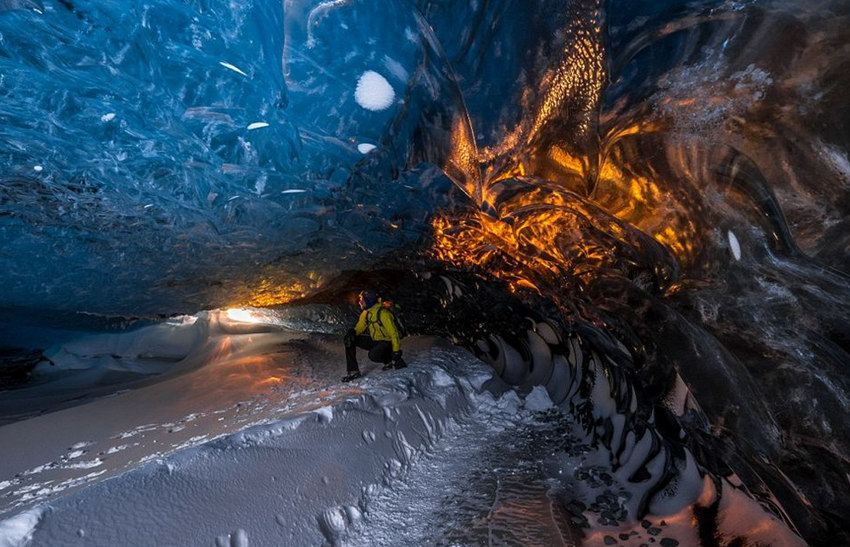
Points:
x=556 y=207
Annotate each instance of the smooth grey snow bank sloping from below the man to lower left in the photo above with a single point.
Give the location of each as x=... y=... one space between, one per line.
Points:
x=304 y=480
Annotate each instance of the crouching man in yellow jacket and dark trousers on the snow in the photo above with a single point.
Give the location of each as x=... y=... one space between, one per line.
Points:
x=375 y=331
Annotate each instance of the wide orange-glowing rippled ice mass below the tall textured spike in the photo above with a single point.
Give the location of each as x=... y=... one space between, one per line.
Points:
x=546 y=234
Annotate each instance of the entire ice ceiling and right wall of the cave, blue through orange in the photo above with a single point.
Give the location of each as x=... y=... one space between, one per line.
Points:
x=674 y=172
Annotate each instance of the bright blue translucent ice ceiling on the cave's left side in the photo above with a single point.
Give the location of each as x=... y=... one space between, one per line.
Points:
x=162 y=156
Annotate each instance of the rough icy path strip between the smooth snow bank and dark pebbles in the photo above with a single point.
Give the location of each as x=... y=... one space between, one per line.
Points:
x=482 y=486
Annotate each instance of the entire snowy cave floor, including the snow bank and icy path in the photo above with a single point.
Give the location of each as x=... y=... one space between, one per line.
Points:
x=248 y=438
